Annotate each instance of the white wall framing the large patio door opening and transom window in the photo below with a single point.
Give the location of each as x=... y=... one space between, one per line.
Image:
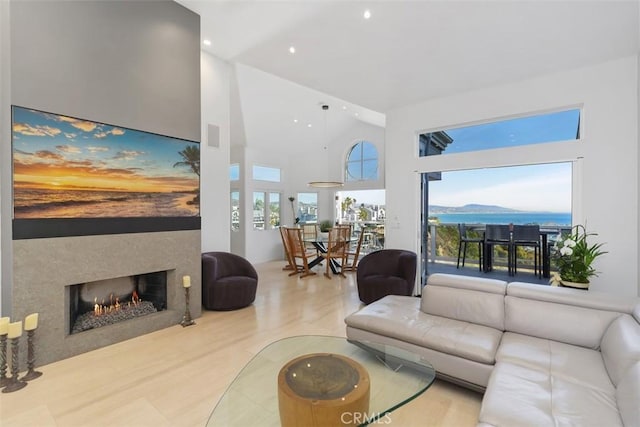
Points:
x=606 y=182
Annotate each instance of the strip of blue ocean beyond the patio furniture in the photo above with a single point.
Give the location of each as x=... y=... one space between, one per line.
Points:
x=541 y=218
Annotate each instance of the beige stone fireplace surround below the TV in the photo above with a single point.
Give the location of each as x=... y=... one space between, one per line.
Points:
x=43 y=269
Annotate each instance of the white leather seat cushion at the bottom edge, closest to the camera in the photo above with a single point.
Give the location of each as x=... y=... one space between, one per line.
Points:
x=519 y=395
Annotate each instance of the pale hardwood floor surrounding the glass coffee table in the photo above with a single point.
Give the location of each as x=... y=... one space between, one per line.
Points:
x=175 y=376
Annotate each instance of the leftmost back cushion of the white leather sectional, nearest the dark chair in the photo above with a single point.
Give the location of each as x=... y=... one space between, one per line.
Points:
x=469 y=299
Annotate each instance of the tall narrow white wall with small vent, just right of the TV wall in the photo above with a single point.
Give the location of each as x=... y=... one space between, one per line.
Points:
x=215 y=202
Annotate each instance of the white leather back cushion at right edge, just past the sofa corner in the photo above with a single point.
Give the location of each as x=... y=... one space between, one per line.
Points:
x=620 y=346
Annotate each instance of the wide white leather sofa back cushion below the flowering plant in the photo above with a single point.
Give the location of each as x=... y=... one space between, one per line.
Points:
x=566 y=315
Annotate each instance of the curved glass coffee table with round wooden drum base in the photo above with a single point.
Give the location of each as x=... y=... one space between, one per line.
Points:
x=345 y=383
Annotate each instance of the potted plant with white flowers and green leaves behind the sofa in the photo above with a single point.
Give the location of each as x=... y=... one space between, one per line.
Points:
x=574 y=257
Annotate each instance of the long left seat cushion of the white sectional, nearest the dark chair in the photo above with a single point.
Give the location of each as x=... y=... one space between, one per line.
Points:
x=400 y=317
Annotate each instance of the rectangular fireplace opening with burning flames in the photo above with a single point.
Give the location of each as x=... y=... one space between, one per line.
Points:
x=106 y=302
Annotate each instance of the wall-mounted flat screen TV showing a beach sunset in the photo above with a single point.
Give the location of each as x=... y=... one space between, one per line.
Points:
x=73 y=176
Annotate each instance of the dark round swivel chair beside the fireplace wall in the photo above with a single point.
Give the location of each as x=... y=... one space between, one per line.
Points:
x=229 y=281
